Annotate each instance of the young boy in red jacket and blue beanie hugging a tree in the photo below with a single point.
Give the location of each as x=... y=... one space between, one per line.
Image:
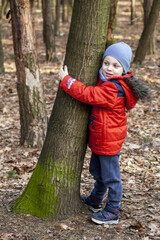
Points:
x=116 y=91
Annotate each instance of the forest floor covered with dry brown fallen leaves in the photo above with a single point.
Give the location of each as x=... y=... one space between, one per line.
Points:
x=140 y=155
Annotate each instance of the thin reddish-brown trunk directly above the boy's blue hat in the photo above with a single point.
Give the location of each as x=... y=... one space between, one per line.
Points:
x=112 y=23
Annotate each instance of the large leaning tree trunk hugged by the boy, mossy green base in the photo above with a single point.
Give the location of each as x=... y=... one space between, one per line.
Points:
x=54 y=188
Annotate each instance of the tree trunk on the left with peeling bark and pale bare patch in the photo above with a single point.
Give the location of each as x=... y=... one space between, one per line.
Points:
x=31 y=101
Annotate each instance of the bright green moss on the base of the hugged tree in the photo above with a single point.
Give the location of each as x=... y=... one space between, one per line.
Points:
x=40 y=197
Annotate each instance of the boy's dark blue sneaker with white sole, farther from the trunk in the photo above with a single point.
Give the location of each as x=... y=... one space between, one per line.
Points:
x=109 y=215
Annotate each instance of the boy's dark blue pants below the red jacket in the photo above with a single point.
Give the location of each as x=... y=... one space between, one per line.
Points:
x=106 y=171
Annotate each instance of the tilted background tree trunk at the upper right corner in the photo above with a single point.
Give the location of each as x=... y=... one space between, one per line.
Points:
x=147 y=32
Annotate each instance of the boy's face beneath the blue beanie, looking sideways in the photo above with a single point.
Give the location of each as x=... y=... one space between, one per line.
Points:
x=111 y=67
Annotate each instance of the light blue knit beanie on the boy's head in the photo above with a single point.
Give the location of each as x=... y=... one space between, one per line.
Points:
x=122 y=52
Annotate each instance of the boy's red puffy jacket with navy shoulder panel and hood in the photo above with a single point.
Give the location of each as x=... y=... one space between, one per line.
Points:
x=108 y=121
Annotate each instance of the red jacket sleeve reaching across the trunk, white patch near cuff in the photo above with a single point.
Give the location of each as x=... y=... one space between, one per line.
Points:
x=104 y=95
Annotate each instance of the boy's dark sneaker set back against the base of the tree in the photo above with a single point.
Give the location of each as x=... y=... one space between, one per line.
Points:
x=91 y=203
